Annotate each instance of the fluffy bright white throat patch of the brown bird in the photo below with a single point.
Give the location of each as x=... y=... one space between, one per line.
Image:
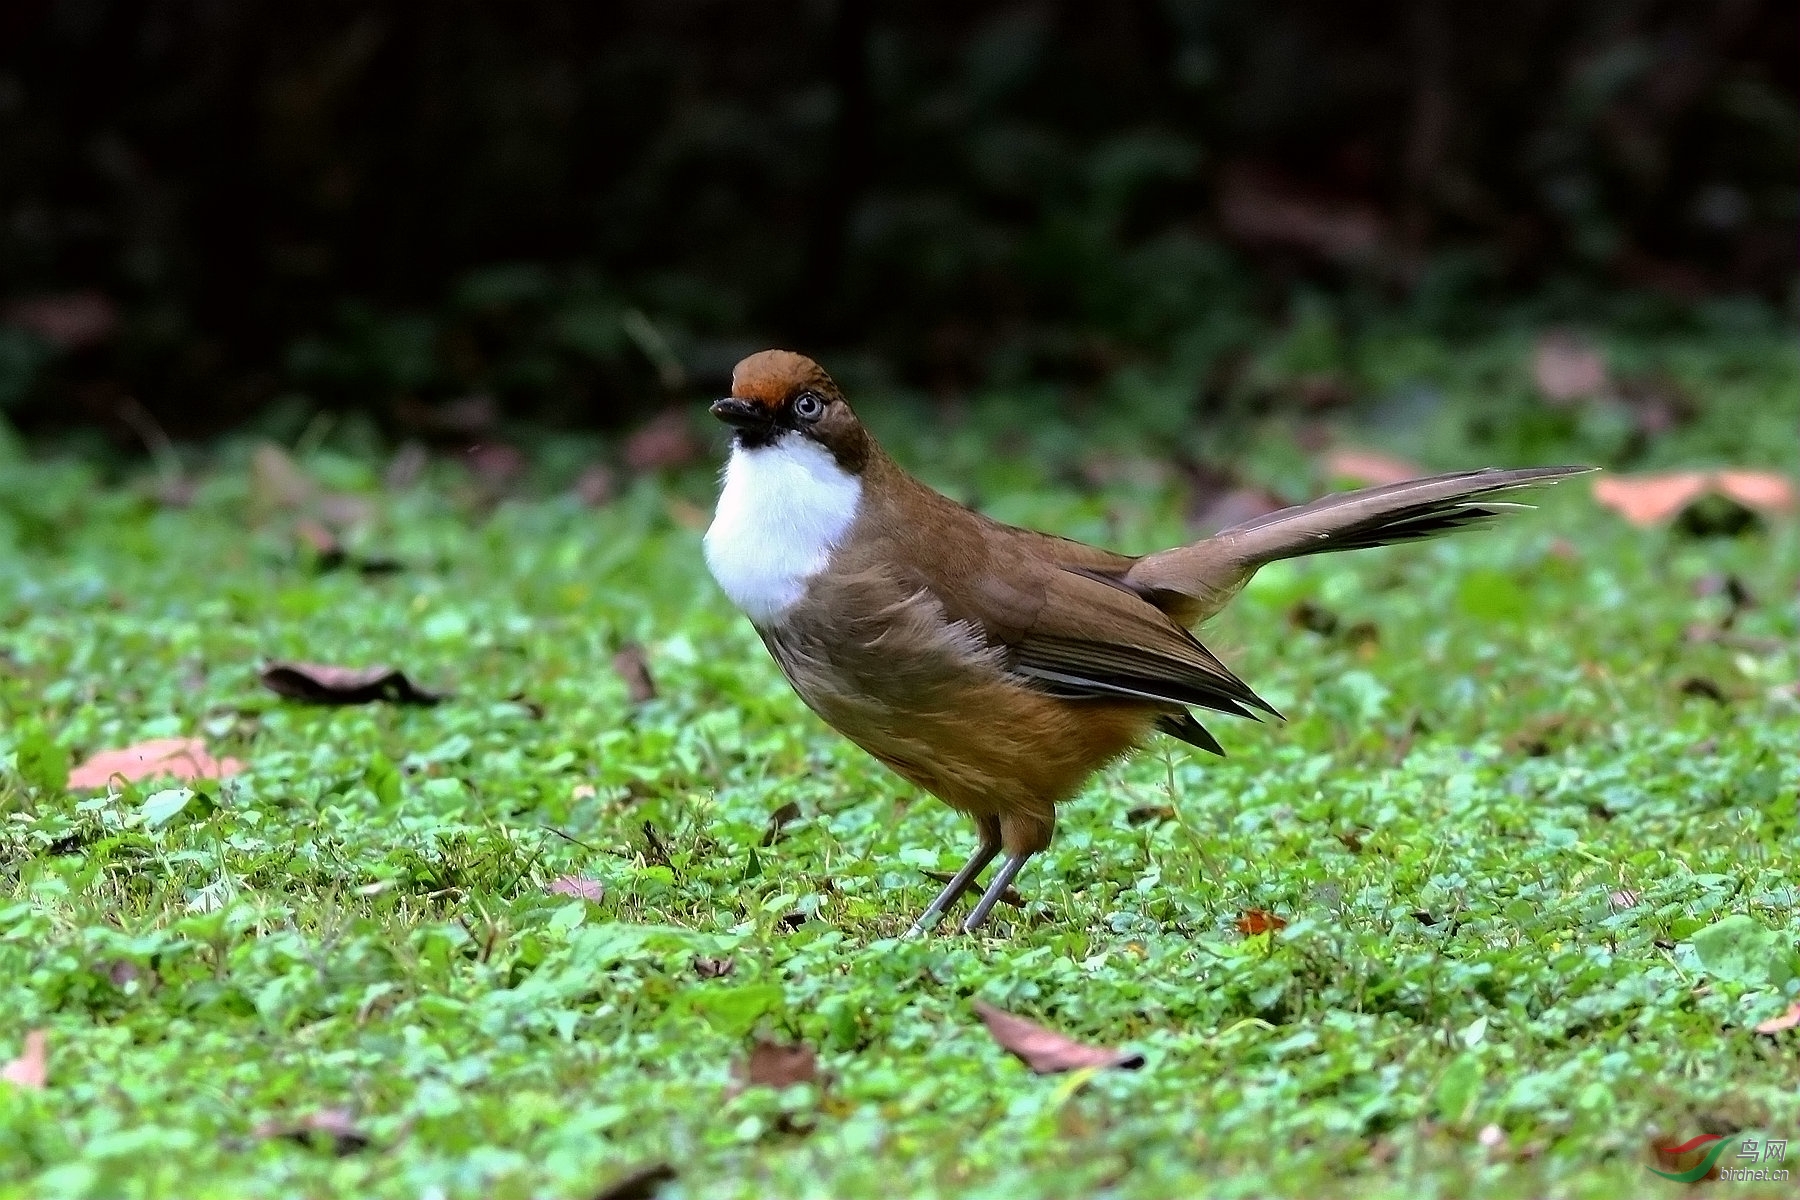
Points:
x=782 y=512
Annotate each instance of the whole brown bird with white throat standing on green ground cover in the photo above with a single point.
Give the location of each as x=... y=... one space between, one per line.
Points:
x=994 y=667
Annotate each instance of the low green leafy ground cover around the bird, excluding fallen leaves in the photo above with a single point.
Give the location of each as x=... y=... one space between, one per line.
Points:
x=1450 y=821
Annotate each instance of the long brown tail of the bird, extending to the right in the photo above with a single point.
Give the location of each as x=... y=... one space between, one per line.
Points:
x=1194 y=582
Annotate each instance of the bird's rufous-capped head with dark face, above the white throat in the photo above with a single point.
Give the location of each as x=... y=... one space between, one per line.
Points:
x=780 y=395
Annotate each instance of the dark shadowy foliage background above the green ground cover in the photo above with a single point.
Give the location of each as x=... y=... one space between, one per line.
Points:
x=566 y=210
